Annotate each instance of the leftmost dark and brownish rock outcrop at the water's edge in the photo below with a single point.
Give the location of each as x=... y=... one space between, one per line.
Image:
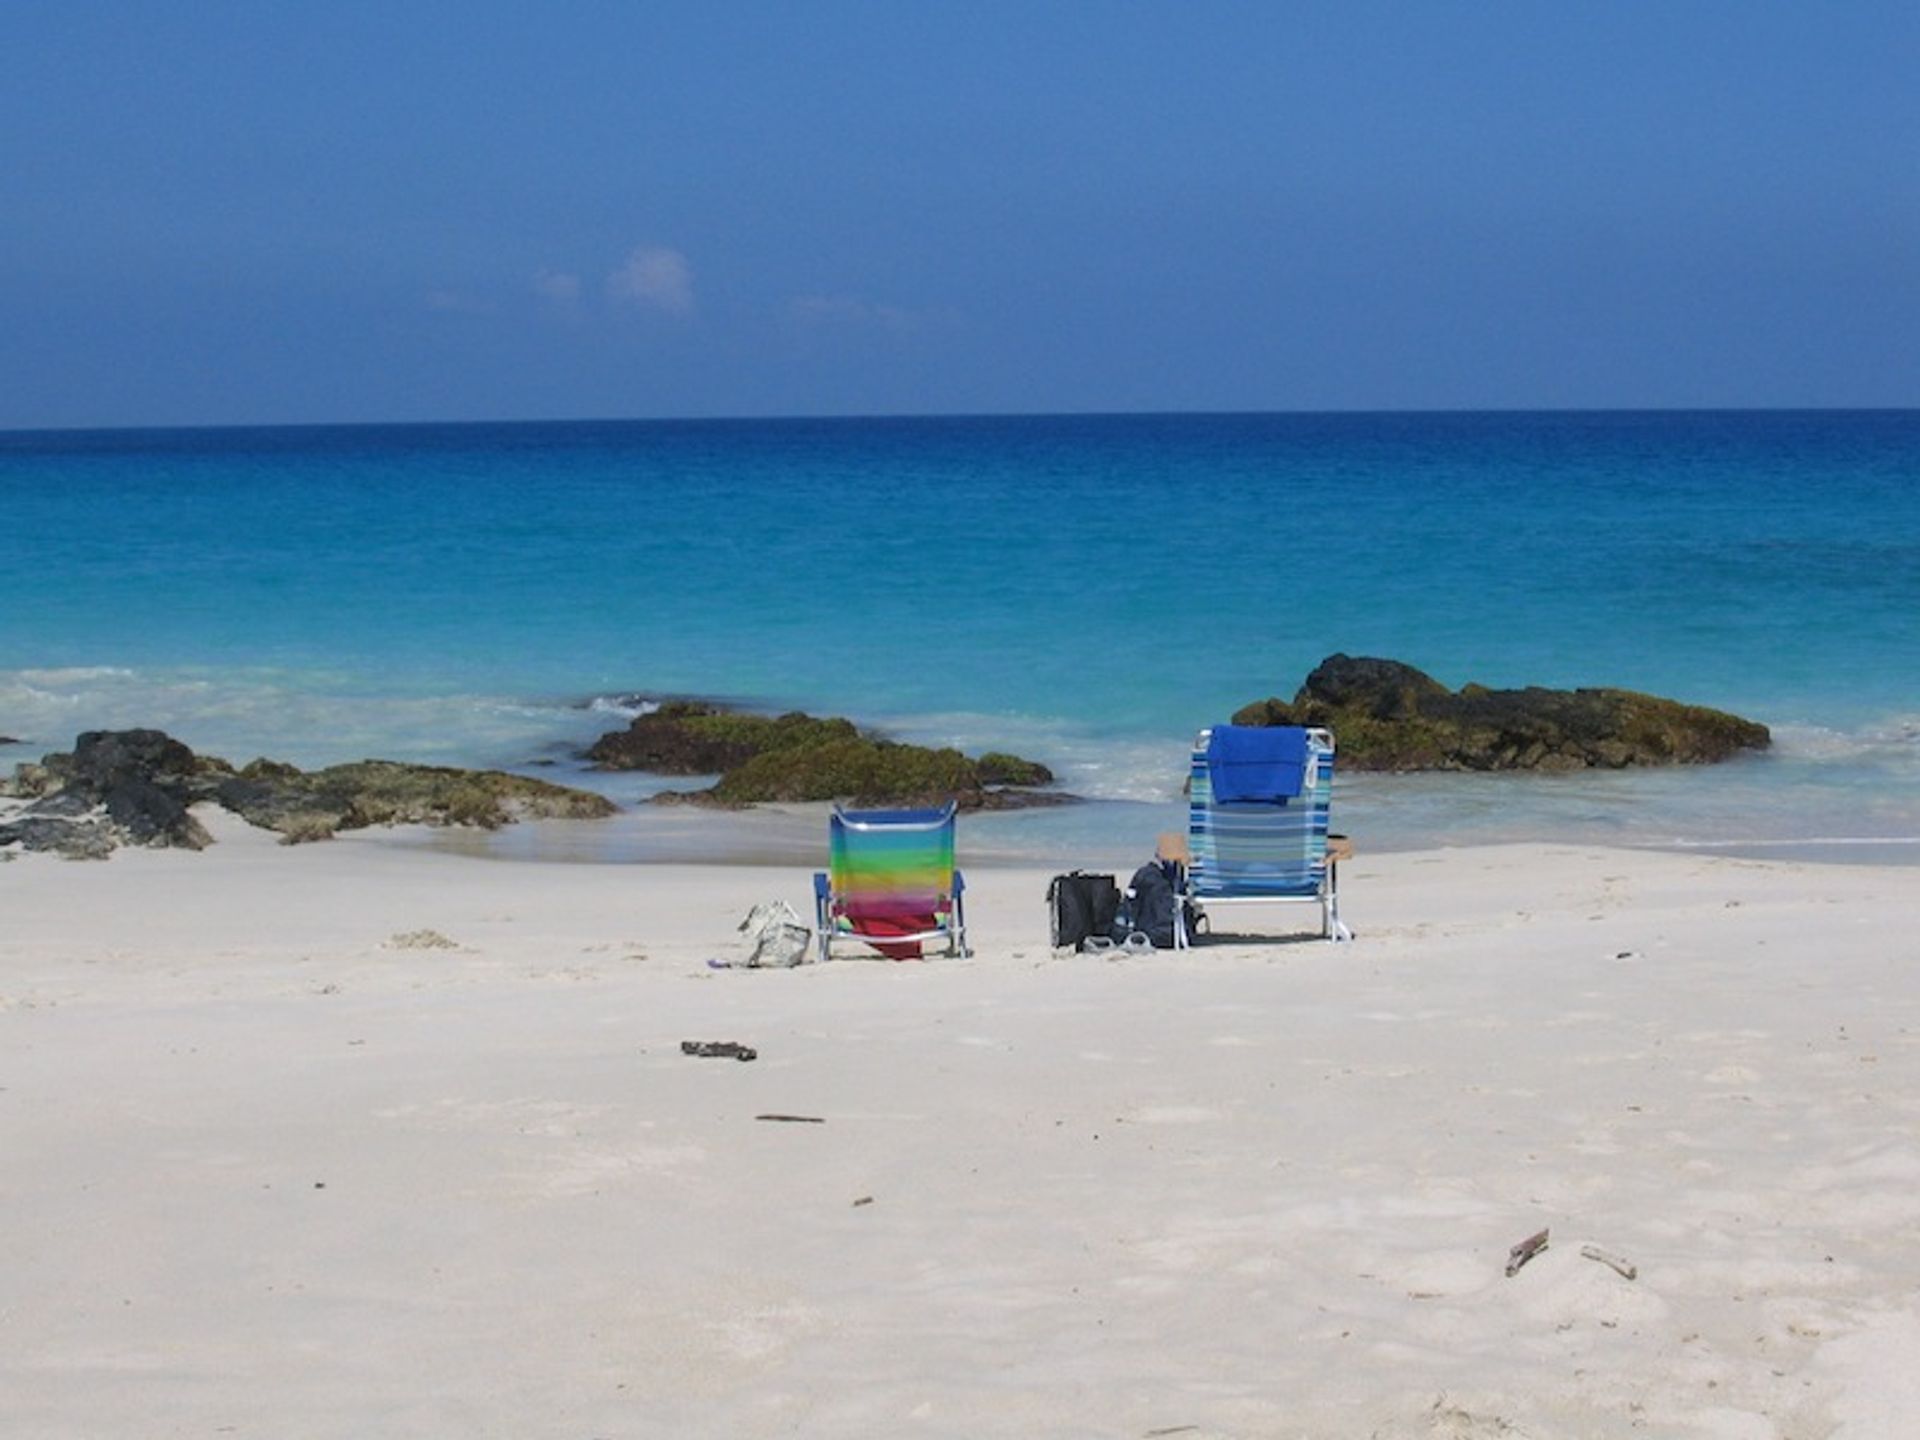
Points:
x=135 y=788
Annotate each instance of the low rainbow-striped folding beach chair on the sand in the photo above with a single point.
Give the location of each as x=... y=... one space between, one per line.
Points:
x=892 y=884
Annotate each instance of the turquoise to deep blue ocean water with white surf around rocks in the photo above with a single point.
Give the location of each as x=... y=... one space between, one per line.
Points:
x=1084 y=590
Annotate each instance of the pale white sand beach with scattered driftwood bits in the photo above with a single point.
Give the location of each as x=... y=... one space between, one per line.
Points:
x=270 y=1172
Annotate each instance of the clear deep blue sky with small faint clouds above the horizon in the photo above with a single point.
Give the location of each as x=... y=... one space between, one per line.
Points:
x=400 y=212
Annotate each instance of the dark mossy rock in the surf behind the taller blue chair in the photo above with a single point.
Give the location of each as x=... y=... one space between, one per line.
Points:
x=1393 y=717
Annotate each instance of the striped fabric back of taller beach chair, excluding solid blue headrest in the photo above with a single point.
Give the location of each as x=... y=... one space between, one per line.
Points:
x=1260 y=848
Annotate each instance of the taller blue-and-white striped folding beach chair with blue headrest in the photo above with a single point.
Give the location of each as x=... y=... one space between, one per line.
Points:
x=1257 y=823
